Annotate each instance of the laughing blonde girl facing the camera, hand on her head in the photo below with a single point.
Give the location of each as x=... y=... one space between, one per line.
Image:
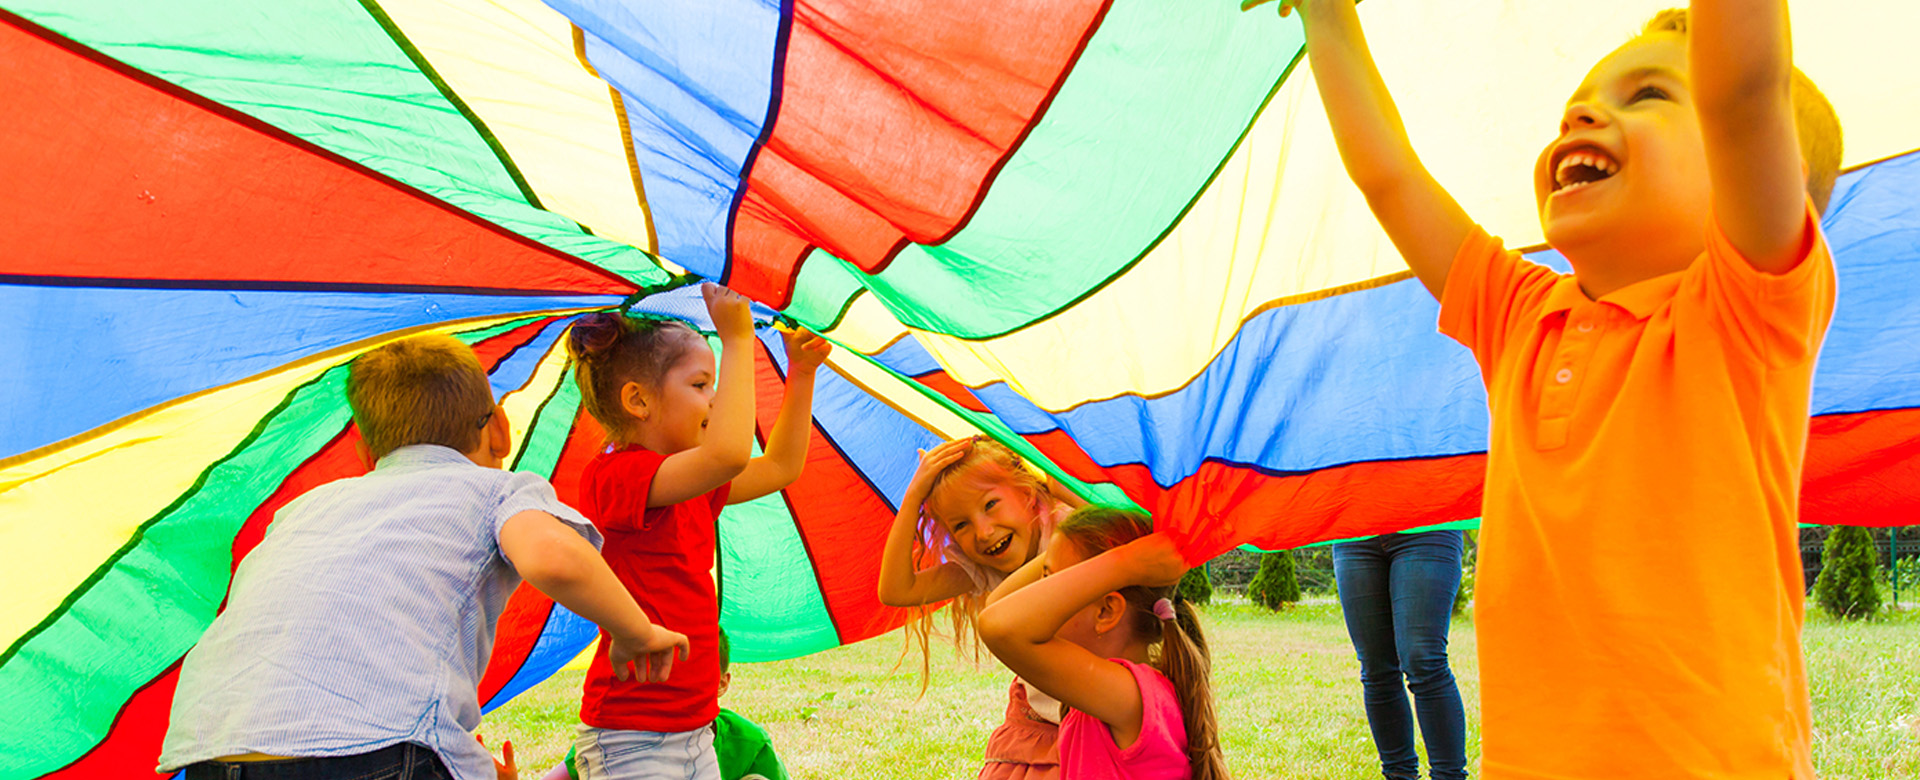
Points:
x=974 y=514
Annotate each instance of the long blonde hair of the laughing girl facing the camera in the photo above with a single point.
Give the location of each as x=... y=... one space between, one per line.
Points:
x=986 y=464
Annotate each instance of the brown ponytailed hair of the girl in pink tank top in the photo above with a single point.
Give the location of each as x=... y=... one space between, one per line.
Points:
x=1178 y=646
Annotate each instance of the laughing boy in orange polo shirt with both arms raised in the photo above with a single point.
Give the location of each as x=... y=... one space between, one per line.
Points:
x=1641 y=587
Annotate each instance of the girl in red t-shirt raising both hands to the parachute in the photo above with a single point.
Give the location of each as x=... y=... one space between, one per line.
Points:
x=681 y=443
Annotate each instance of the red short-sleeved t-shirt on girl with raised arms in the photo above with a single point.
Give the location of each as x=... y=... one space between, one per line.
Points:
x=665 y=558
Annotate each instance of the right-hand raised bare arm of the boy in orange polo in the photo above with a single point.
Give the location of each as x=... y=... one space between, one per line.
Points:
x=1742 y=72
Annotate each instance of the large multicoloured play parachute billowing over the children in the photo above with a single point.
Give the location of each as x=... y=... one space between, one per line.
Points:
x=1109 y=233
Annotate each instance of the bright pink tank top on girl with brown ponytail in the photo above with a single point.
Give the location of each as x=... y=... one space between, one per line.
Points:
x=1088 y=750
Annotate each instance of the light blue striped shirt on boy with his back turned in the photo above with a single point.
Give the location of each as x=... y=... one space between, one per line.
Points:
x=364 y=620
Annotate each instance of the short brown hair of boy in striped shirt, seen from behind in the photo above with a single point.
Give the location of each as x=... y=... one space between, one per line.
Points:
x=420 y=391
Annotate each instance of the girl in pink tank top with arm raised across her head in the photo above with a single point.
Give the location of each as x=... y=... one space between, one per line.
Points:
x=1101 y=631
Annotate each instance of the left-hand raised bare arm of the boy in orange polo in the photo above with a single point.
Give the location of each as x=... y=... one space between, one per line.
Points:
x=1424 y=222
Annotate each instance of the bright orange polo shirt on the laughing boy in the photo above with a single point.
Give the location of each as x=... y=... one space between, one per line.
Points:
x=1641 y=589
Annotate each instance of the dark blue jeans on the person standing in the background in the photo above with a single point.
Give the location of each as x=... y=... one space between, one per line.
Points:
x=1397 y=593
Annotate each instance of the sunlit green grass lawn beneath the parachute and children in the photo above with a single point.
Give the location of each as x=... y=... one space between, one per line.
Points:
x=1287 y=687
